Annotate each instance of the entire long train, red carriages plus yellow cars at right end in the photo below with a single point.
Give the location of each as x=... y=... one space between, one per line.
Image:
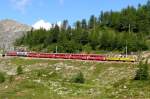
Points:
x=70 y=56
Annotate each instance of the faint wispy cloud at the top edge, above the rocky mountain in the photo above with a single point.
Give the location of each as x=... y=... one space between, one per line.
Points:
x=20 y=4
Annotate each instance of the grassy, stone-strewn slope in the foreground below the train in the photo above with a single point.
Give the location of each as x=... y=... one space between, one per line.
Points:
x=49 y=79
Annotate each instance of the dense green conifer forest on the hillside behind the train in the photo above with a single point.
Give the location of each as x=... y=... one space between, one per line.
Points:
x=111 y=30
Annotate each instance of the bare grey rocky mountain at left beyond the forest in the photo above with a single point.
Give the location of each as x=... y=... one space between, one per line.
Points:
x=10 y=30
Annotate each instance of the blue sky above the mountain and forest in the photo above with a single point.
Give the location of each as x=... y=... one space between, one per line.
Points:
x=30 y=11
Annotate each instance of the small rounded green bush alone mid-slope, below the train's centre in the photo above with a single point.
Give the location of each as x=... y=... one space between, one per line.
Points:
x=78 y=78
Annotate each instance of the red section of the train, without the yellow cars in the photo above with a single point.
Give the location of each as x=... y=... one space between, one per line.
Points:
x=60 y=56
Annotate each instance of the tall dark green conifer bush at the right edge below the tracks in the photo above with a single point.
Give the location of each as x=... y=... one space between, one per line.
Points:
x=142 y=72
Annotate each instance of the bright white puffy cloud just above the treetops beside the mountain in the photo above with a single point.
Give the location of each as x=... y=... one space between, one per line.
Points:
x=42 y=24
